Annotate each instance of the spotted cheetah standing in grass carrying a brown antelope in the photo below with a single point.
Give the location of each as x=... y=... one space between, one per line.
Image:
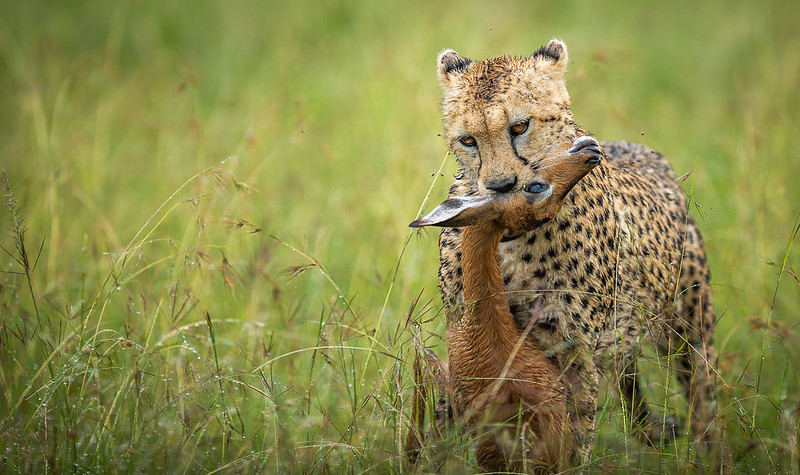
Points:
x=622 y=263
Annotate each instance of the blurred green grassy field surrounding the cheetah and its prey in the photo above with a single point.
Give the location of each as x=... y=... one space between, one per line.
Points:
x=215 y=272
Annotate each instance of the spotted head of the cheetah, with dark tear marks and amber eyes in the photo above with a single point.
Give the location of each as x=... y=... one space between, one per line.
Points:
x=502 y=113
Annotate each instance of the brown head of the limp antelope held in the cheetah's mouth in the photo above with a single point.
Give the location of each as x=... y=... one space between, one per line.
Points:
x=536 y=203
